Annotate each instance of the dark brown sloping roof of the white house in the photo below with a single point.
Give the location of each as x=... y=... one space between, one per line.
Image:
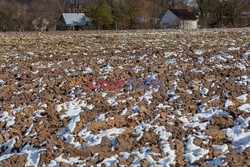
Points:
x=184 y=14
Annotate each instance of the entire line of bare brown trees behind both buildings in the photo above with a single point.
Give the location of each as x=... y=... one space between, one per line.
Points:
x=30 y=15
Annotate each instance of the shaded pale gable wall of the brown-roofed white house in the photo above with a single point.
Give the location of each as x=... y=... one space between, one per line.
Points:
x=169 y=20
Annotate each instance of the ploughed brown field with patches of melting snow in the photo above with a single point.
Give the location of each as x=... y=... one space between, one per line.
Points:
x=200 y=117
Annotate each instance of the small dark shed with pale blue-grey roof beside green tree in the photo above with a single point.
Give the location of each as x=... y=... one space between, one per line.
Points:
x=72 y=21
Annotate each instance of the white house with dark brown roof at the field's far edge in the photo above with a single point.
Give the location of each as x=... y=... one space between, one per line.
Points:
x=179 y=18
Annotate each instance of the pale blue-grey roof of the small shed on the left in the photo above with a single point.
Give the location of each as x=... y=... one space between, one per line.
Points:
x=75 y=19
